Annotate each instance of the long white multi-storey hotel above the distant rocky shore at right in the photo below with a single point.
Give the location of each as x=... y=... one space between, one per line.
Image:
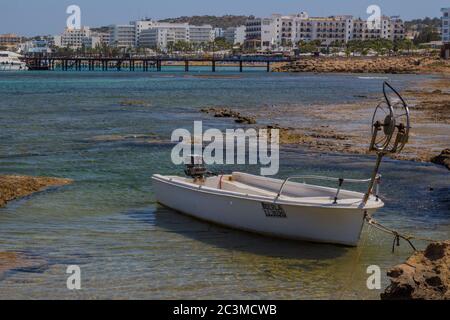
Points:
x=285 y=31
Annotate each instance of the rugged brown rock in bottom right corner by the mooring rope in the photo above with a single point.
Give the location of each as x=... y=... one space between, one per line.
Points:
x=424 y=276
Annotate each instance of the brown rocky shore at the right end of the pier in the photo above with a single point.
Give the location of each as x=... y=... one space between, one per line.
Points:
x=391 y=65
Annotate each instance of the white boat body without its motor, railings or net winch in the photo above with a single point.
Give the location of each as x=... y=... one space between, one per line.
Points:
x=255 y=204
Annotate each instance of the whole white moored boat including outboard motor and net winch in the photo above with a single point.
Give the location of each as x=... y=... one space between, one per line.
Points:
x=284 y=208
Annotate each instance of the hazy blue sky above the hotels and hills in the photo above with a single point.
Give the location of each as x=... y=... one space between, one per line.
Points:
x=30 y=17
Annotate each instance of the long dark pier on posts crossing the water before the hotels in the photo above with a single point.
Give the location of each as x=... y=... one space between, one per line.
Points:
x=146 y=64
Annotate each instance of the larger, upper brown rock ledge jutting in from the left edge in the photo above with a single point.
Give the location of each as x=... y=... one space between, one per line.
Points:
x=14 y=187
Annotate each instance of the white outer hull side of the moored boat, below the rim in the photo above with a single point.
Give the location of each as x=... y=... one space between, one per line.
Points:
x=307 y=223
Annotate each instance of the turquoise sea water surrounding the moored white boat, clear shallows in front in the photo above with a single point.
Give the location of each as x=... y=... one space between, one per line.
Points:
x=55 y=123
